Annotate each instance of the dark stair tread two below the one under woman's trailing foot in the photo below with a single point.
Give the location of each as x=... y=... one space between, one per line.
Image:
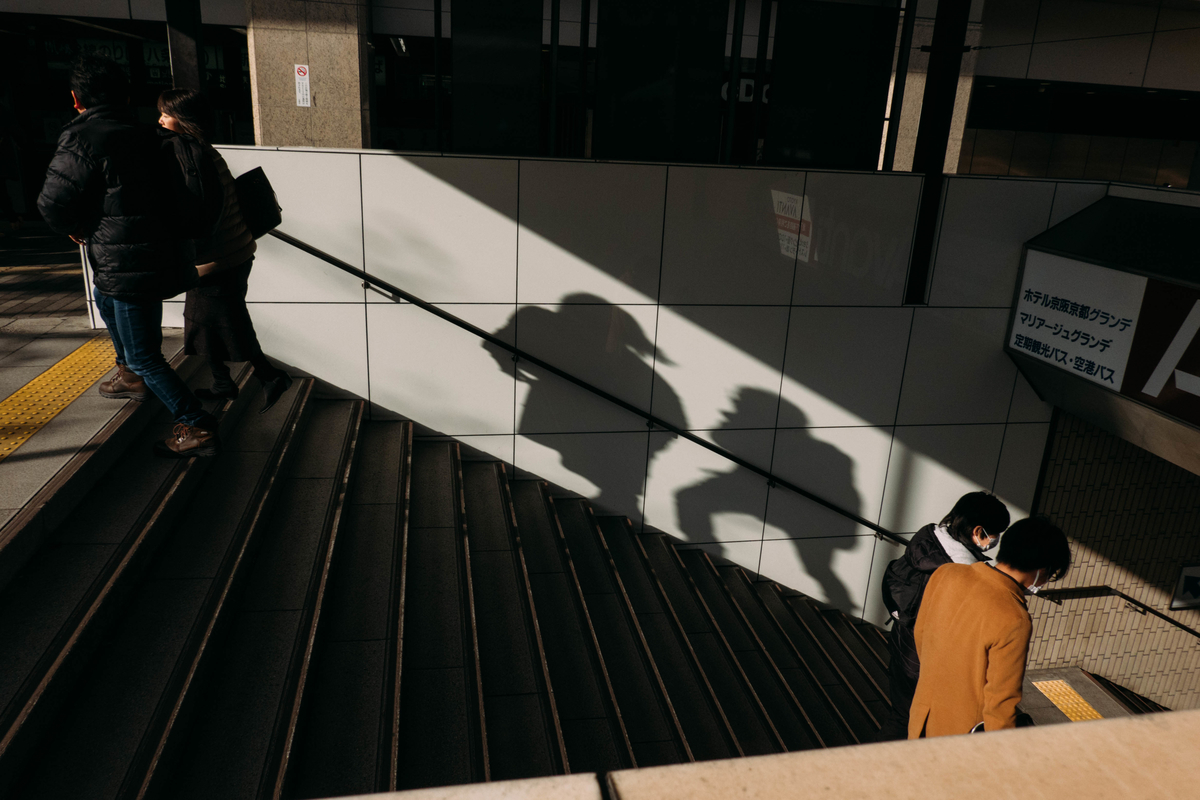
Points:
x=347 y=743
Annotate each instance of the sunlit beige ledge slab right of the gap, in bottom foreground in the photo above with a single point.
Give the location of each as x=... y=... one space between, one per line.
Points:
x=1149 y=756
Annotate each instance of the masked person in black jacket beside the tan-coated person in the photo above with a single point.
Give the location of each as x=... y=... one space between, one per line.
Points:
x=973 y=528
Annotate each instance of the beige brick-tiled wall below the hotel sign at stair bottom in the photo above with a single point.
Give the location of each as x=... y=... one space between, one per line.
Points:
x=1133 y=520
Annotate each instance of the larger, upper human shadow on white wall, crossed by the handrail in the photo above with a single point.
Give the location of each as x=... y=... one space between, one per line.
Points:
x=603 y=345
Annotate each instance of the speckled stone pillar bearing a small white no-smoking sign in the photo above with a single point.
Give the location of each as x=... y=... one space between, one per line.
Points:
x=332 y=39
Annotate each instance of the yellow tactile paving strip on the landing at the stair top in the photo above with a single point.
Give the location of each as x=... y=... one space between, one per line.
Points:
x=27 y=411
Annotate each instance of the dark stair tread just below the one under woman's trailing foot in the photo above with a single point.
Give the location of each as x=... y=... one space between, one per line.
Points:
x=247 y=718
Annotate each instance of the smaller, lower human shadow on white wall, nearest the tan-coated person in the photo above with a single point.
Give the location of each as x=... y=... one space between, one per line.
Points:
x=727 y=494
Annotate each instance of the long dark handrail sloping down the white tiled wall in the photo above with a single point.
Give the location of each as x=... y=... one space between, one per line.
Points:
x=652 y=422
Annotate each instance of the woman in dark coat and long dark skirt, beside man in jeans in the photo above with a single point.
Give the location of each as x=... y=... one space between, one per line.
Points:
x=217 y=322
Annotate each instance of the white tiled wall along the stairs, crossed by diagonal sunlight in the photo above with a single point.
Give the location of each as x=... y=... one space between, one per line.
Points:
x=668 y=287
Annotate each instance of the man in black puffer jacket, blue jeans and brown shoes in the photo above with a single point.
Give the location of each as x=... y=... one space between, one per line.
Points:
x=107 y=189
